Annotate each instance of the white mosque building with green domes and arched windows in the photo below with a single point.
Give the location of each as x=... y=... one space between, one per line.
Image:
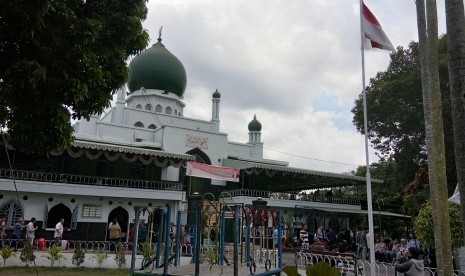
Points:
x=144 y=152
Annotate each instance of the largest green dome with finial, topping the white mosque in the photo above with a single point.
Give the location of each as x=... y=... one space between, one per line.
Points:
x=157 y=68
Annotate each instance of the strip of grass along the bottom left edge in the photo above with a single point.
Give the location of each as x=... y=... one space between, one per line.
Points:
x=61 y=271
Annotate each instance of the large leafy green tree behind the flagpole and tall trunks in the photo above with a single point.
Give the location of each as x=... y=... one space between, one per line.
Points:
x=396 y=123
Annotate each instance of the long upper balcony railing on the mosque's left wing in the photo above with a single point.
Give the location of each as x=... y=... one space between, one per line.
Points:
x=89 y=180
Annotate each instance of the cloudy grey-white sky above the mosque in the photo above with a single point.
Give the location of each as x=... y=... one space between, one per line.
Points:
x=296 y=64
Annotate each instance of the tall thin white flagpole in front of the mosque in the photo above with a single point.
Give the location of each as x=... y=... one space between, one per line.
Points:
x=371 y=242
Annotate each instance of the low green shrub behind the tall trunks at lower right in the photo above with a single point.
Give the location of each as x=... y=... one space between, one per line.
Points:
x=424 y=229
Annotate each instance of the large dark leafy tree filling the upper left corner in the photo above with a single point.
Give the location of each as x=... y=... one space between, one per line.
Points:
x=61 y=60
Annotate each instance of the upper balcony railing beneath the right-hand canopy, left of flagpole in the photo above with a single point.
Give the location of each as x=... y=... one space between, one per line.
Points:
x=289 y=196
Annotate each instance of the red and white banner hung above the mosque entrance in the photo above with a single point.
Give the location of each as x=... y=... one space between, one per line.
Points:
x=212 y=172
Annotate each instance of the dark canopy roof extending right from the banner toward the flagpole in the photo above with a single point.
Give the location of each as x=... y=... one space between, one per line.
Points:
x=278 y=178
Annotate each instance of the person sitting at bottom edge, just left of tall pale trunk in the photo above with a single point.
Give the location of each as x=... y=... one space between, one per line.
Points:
x=409 y=263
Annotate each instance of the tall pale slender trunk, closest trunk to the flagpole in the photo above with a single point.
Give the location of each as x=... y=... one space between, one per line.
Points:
x=432 y=106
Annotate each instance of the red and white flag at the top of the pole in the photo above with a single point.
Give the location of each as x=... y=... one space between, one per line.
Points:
x=374 y=32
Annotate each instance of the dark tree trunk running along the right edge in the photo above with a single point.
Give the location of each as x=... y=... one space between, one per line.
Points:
x=455 y=21
